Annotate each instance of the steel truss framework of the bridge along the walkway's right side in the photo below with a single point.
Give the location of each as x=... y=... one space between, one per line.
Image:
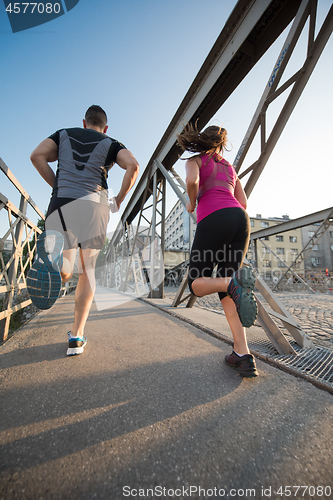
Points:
x=138 y=243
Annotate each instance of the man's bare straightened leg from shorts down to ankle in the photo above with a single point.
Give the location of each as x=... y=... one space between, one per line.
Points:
x=85 y=290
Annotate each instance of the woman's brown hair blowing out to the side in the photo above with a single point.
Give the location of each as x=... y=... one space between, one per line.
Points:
x=212 y=140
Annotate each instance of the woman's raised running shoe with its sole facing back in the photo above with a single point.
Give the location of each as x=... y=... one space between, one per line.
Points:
x=240 y=289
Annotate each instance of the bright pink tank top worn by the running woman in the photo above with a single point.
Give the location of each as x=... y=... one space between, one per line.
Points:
x=216 y=186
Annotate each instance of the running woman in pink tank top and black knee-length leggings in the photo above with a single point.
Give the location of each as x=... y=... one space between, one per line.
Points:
x=221 y=238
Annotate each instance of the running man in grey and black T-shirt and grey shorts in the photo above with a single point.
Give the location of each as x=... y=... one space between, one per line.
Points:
x=78 y=213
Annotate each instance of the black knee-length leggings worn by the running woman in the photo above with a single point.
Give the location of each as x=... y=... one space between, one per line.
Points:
x=221 y=240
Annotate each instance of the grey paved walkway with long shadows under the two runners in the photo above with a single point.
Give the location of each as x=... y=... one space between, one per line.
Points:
x=151 y=410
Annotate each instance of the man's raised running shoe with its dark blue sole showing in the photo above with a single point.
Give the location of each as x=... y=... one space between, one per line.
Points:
x=43 y=278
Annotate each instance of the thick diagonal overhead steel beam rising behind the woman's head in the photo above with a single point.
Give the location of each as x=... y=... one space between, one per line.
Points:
x=255 y=24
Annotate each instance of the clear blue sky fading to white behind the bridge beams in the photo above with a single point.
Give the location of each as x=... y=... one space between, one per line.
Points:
x=137 y=59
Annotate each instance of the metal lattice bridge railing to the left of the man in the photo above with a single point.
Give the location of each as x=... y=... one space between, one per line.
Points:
x=15 y=262
